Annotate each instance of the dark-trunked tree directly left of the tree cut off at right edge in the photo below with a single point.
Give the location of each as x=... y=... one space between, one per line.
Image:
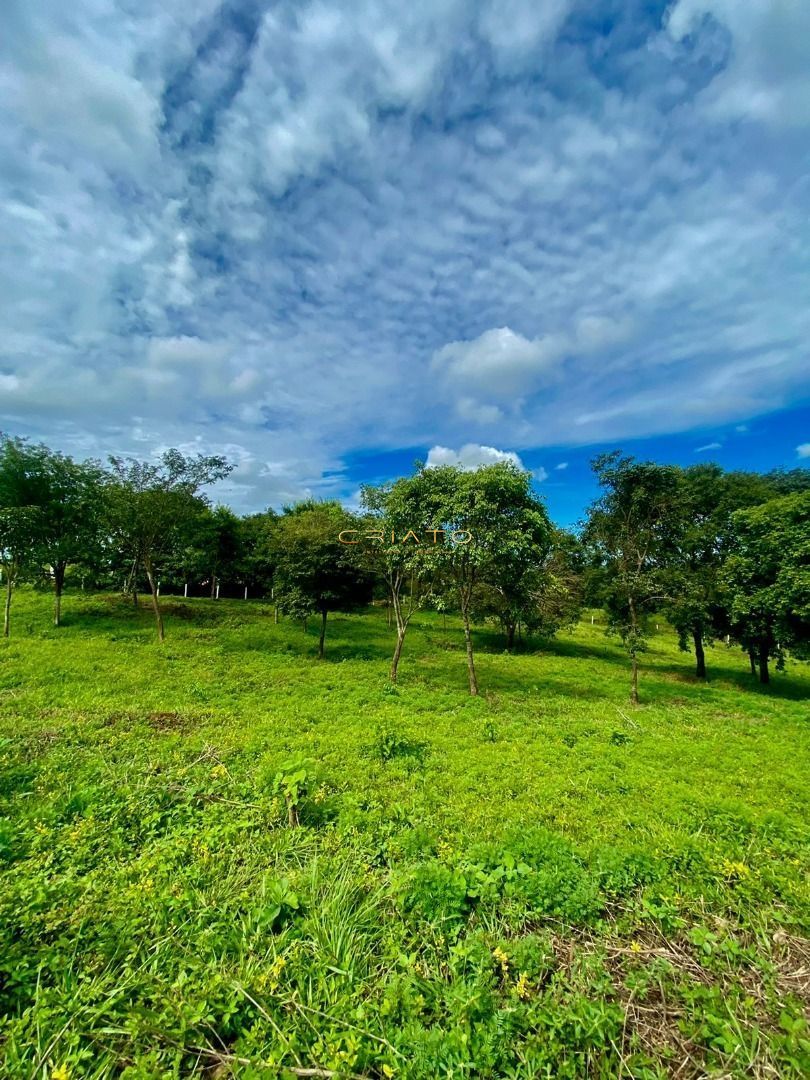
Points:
x=700 y=539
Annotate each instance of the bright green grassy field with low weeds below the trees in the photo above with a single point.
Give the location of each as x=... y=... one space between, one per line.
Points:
x=541 y=882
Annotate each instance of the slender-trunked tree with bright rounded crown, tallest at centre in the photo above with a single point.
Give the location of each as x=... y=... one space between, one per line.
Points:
x=494 y=528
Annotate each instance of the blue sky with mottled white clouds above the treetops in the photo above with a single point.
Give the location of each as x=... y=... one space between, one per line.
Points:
x=330 y=238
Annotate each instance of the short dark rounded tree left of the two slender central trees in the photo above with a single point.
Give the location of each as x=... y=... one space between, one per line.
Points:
x=315 y=572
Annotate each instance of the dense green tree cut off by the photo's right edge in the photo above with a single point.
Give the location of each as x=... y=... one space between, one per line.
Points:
x=767 y=579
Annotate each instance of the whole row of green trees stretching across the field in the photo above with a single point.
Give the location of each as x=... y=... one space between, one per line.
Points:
x=721 y=555
